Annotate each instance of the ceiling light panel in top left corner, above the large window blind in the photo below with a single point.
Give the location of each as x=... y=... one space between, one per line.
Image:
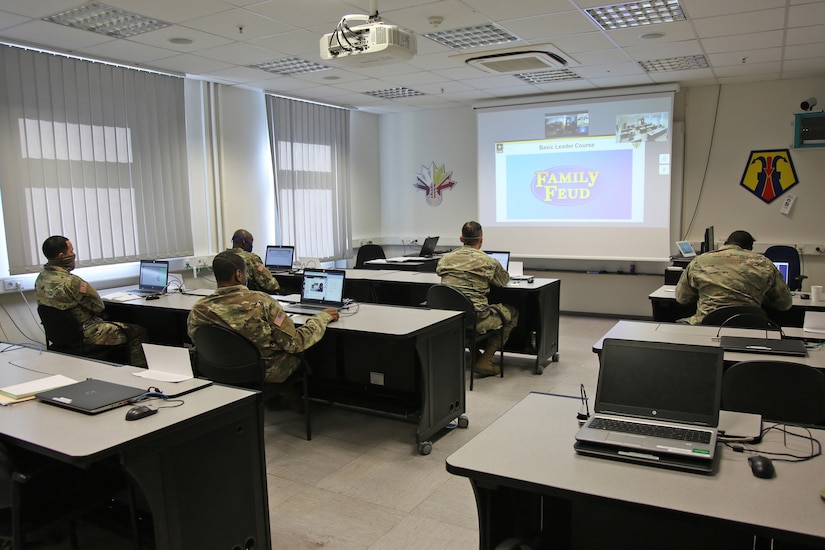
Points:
x=107 y=20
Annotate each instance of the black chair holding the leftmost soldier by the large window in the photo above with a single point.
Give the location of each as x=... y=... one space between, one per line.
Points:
x=64 y=334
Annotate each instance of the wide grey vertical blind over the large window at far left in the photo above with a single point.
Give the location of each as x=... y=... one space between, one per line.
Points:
x=94 y=152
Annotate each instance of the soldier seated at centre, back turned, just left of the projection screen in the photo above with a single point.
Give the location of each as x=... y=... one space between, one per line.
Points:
x=472 y=271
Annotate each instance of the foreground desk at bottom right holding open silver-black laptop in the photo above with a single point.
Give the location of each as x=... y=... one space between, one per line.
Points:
x=529 y=483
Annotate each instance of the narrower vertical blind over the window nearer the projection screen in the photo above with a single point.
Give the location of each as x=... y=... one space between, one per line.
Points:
x=310 y=152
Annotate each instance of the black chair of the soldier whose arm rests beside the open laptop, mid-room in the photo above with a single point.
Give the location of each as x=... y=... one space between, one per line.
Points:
x=226 y=357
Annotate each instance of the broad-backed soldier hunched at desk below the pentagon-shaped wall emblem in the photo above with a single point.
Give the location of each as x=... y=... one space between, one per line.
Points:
x=731 y=276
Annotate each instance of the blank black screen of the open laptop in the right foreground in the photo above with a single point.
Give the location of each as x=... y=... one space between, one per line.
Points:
x=660 y=381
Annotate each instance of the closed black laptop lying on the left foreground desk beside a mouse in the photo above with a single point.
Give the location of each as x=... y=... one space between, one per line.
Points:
x=91 y=396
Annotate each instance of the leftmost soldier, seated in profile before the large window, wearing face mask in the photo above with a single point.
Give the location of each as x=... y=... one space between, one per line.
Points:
x=58 y=288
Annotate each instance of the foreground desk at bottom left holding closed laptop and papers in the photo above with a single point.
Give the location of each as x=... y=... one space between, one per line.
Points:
x=175 y=457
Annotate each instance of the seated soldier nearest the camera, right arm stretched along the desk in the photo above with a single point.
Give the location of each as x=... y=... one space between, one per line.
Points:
x=257 y=317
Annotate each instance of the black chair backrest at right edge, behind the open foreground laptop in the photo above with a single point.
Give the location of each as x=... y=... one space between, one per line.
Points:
x=778 y=390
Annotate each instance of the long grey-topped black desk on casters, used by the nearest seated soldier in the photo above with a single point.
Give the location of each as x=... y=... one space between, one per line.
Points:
x=408 y=362
